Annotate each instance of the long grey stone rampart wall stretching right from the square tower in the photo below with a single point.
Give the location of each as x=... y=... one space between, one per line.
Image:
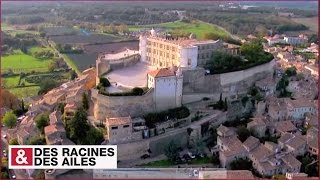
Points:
x=196 y=84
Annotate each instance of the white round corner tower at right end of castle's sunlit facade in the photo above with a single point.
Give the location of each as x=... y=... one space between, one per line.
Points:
x=188 y=56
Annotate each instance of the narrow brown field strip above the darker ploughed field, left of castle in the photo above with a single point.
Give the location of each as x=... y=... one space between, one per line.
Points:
x=85 y=39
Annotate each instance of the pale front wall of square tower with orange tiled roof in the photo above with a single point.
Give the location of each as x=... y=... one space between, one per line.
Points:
x=165 y=92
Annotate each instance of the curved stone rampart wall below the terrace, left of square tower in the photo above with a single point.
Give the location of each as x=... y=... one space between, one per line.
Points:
x=114 y=106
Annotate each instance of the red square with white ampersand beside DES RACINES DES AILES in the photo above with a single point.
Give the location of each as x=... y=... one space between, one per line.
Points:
x=21 y=156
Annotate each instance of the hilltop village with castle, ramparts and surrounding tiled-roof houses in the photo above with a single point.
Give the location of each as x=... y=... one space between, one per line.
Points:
x=170 y=93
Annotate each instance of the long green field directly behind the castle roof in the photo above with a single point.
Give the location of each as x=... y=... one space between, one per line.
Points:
x=199 y=28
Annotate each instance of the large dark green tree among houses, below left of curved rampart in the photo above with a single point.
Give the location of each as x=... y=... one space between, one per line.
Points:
x=78 y=126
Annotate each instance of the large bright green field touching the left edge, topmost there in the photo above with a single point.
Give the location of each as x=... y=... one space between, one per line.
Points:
x=20 y=62
